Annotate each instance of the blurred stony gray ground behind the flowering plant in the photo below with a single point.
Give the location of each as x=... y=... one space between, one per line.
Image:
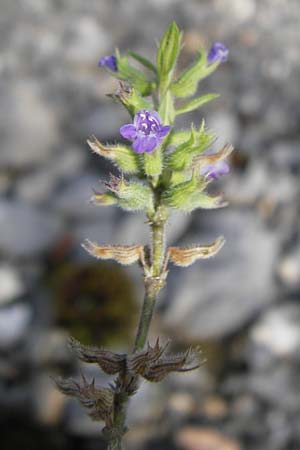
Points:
x=242 y=307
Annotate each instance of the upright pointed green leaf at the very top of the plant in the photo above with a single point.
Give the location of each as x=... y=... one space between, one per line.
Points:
x=167 y=55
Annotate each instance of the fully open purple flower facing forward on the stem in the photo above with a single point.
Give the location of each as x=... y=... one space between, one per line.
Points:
x=146 y=132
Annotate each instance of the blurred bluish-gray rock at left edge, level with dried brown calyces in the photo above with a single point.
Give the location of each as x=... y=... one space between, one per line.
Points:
x=26 y=231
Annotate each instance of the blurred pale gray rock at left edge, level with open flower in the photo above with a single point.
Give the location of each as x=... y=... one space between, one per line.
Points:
x=27 y=139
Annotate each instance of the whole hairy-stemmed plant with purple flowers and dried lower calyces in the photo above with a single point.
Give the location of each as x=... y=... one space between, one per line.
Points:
x=161 y=169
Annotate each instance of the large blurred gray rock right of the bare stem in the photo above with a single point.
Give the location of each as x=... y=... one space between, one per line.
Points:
x=217 y=296
